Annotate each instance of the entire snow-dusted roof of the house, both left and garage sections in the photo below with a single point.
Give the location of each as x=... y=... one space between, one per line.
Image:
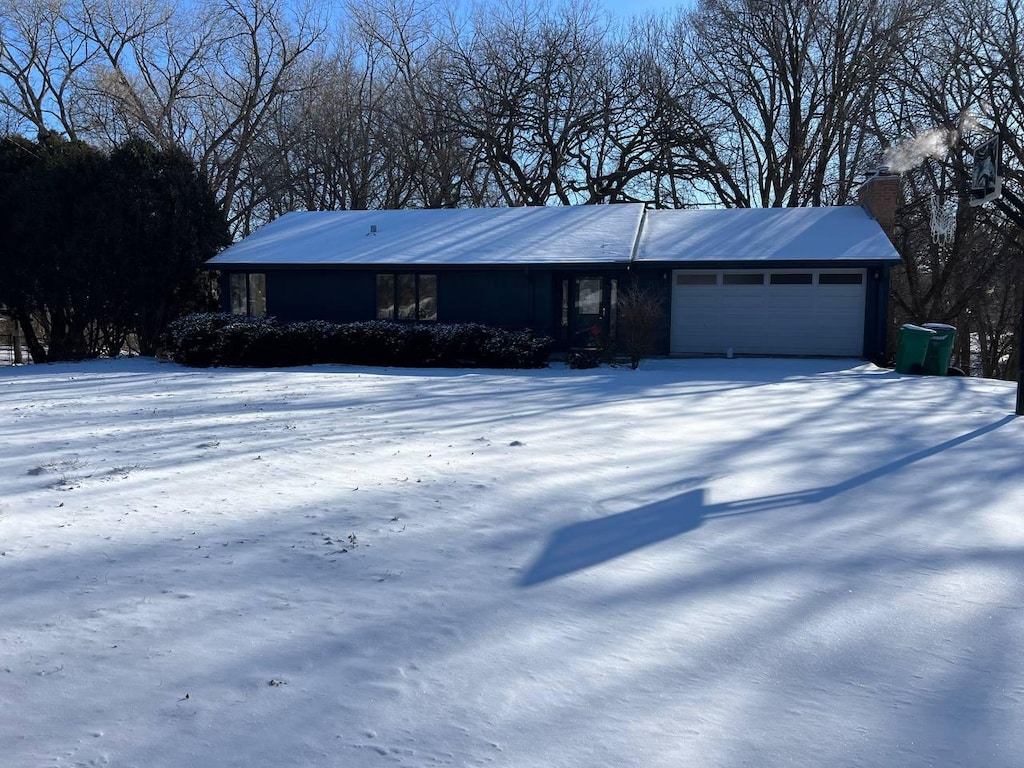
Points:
x=563 y=235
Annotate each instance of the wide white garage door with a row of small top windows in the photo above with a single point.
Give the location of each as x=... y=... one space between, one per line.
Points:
x=780 y=312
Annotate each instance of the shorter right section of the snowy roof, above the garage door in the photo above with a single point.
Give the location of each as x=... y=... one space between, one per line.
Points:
x=836 y=234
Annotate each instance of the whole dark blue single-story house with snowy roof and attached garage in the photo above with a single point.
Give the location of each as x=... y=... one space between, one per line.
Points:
x=781 y=281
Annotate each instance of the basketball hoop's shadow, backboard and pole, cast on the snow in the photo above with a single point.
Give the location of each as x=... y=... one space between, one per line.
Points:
x=584 y=545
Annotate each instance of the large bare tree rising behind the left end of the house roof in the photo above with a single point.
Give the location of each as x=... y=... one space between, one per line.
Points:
x=205 y=80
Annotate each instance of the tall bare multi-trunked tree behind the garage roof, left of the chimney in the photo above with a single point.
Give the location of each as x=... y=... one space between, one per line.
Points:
x=780 y=94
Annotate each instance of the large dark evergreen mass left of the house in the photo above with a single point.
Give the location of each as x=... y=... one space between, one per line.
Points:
x=102 y=250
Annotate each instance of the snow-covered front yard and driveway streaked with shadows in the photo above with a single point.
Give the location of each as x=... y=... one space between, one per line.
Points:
x=743 y=563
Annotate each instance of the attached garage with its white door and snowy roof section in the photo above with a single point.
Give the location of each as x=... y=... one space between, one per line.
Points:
x=772 y=281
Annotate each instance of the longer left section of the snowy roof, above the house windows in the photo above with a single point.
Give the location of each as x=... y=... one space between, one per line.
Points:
x=444 y=237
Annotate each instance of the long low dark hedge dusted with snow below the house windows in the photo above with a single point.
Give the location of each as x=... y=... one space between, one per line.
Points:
x=214 y=339
